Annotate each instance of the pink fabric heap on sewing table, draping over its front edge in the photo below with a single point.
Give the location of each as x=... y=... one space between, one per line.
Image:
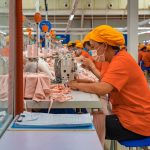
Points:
x=38 y=87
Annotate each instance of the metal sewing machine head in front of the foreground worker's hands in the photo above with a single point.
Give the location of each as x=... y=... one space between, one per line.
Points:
x=65 y=68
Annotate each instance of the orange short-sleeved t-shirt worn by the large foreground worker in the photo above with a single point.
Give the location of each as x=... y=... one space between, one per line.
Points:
x=131 y=97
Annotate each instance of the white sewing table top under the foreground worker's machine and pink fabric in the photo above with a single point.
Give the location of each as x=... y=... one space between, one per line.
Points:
x=80 y=100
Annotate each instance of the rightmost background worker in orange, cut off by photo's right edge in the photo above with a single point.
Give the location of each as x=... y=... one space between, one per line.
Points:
x=146 y=57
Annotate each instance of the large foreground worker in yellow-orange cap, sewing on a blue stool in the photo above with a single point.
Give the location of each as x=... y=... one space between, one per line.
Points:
x=126 y=85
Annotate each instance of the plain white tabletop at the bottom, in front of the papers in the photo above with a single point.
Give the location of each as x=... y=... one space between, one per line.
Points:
x=50 y=140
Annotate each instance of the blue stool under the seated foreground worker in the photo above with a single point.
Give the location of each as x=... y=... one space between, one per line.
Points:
x=139 y=144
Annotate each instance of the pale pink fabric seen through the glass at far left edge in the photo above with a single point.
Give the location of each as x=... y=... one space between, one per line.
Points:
x=3 y=87
